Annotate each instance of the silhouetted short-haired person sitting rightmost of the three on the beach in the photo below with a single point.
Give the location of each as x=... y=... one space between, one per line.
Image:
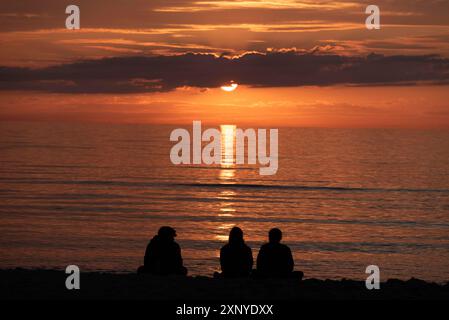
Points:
x=275 y=259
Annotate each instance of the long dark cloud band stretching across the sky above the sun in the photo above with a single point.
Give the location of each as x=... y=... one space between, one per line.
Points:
x=271 y=69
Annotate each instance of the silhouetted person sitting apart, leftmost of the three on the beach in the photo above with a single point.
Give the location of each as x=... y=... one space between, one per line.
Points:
x=163 y=254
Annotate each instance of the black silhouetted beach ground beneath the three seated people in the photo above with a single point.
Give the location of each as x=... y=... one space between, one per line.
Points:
x=48 y=284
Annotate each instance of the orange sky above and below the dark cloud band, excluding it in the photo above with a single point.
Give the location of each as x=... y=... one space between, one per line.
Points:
x=33 y=36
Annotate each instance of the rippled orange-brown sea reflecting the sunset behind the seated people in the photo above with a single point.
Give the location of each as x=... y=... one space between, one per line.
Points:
x=94 y=194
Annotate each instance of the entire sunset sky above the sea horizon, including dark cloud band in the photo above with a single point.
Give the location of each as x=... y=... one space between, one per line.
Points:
x=306 y=63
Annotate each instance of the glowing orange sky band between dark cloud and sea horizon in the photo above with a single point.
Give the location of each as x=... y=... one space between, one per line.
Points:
x=402 y=107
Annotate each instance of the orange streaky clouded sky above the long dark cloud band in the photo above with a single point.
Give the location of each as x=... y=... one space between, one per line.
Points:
x=166 y=27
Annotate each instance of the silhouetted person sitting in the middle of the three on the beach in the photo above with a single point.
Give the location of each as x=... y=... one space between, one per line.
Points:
x=236 y=258
